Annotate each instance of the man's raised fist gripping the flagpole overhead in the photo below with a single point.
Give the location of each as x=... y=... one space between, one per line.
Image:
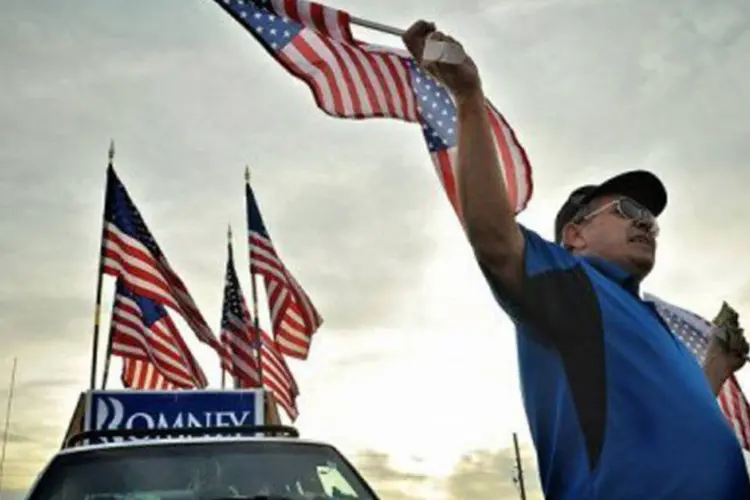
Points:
x=461 y=79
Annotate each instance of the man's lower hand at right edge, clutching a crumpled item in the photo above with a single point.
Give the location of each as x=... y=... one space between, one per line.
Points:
x=727 y=350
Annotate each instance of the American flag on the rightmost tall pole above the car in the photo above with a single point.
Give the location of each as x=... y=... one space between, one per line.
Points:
x=293 y=315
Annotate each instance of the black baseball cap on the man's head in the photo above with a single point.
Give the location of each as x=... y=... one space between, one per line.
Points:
x=639 y=185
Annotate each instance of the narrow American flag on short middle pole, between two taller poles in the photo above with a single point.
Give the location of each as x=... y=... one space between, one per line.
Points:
x=239 y=353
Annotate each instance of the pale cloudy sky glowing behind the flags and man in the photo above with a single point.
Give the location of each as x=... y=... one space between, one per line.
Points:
x=413 y=343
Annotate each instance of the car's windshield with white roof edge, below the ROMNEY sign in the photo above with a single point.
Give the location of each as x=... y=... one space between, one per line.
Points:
x=203 y=471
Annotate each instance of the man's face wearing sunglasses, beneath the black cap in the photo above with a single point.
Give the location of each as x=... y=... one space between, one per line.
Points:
x=612 y=228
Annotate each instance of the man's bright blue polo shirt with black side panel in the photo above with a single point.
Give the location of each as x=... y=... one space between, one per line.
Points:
x=618 y=408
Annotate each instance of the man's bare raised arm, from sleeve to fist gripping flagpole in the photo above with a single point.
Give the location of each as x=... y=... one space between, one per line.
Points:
x=488 y=215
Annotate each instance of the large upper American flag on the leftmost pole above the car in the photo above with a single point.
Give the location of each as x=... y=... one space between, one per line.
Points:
x=130 y=253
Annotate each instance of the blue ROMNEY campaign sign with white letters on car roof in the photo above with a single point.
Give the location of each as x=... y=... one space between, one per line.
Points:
x=130 y=409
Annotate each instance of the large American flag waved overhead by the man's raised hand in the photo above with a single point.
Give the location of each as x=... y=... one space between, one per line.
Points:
x=352 y=79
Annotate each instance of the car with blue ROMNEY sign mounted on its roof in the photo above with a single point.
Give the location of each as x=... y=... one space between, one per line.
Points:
x=191 y=445
